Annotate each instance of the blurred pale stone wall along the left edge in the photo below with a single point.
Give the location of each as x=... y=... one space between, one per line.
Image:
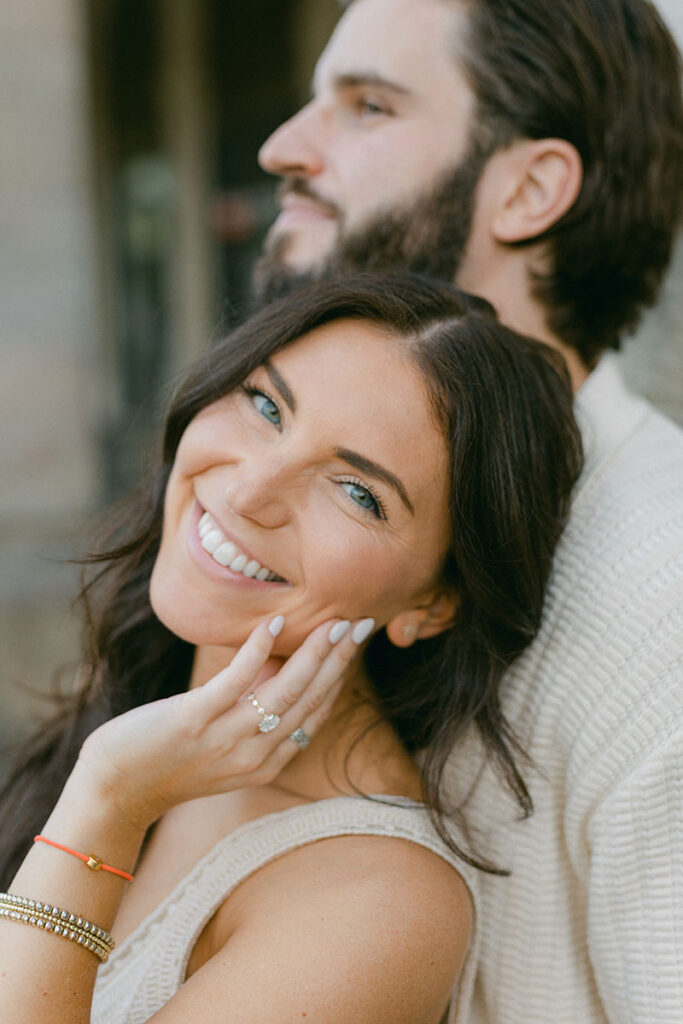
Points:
x=49 y=382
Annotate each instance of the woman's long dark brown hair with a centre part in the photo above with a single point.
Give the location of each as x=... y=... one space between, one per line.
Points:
x=505 y=408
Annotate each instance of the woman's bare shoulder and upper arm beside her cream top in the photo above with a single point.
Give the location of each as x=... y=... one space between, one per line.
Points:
x=364 y=922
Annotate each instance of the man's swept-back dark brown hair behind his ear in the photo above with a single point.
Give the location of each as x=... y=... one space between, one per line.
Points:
x=606 y=76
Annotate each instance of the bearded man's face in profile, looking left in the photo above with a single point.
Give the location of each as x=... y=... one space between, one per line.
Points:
x=380 y=169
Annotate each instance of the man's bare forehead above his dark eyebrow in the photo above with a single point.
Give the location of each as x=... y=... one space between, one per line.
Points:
x=393 y=44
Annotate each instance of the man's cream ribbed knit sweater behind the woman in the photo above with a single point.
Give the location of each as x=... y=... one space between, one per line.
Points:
x=589 y=928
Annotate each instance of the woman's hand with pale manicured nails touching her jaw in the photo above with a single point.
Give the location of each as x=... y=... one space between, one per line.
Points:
x=207 y=741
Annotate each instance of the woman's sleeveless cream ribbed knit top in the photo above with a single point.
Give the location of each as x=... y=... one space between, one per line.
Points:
x=150 y=966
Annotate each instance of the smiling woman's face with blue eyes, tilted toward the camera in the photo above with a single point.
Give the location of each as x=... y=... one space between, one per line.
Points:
x=326 y=475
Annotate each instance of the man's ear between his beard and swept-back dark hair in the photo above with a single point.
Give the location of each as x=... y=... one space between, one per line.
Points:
x=541 y=180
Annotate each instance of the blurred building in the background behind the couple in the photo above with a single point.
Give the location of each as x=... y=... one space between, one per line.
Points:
x=132 y=209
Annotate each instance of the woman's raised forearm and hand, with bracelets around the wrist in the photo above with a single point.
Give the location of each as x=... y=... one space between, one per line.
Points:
x=131 y=772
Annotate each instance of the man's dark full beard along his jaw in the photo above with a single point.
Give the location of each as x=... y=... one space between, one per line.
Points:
x=429 y=237
